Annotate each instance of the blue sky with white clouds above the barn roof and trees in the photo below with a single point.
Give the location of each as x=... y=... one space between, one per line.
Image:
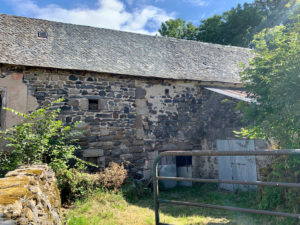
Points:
x=141 y=16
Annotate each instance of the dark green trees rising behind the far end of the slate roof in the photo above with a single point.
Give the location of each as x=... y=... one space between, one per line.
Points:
x=234 y=27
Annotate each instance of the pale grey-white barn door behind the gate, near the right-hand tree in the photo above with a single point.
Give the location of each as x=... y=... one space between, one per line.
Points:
x=241 y=168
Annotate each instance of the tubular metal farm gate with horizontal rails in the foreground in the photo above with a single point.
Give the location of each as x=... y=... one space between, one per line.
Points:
x=156 y=178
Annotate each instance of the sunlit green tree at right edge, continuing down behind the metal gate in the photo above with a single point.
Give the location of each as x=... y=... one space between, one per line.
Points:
x=273 y=81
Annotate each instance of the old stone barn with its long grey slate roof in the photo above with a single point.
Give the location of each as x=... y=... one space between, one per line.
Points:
x=136 y=95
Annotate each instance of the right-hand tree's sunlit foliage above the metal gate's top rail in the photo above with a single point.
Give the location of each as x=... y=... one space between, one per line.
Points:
x=273 y=80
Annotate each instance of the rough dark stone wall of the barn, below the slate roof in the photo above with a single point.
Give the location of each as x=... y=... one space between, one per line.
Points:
x=136 y=118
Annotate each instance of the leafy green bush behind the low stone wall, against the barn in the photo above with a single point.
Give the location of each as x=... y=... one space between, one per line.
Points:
x=41 y=138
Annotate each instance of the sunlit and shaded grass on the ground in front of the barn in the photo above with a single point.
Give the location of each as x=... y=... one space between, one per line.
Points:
x=107 y=208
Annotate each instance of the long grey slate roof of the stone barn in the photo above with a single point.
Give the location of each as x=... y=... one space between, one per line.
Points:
x=87 y=48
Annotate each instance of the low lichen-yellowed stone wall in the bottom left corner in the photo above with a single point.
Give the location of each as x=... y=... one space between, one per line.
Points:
x=29 y=195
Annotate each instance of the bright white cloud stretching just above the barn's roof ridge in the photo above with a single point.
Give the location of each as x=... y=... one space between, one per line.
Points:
x=108 y=14
